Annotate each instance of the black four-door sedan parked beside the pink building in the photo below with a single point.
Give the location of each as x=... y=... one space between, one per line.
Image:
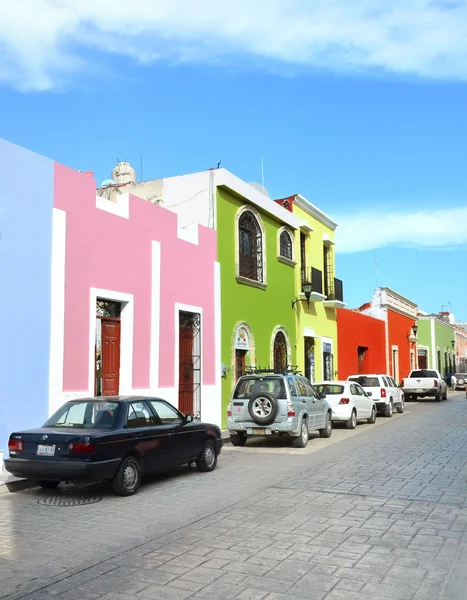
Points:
x=112 y=438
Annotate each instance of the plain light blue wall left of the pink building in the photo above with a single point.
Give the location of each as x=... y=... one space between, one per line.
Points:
x=26 y=203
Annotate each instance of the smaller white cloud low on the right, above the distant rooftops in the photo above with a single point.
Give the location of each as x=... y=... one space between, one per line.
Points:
x=440 y=229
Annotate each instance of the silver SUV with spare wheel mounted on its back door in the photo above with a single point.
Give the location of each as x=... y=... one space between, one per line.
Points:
x=265 y=403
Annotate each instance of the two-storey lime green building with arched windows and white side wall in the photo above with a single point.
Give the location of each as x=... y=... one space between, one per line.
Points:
x=256 y=252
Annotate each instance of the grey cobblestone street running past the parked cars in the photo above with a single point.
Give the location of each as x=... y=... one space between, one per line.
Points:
x=372 y=514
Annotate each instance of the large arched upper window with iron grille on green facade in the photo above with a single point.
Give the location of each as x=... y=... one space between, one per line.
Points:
x=250 y=247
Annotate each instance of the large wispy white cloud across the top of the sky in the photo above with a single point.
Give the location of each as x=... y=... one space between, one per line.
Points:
x=43 y=42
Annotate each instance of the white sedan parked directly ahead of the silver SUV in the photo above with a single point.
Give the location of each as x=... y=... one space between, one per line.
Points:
x=349 y=402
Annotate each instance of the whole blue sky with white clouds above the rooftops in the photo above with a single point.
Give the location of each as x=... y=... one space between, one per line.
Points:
x=361 y=110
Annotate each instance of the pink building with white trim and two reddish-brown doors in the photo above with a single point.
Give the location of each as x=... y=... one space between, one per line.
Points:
x=135 y=301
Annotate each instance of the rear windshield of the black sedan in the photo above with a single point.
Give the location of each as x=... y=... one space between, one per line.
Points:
x=89 y=414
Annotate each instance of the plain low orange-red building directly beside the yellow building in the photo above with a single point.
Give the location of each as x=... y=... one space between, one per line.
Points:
x=361 y=343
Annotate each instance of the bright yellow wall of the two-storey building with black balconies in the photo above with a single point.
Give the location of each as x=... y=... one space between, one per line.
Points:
x=317 y=317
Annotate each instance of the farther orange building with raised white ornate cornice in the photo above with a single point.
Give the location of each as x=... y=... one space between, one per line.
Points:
x=400 y=316
